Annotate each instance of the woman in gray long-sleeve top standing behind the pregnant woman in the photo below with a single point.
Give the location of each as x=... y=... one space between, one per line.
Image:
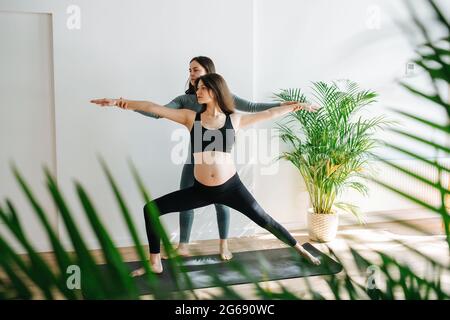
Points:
x=198 y=67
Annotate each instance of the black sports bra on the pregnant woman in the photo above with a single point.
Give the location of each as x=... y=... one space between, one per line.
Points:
x=203 y=139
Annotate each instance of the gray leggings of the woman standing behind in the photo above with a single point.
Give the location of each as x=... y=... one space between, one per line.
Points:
x=187 y=216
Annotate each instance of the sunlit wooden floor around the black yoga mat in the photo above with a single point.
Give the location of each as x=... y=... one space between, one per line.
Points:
x=428 y=234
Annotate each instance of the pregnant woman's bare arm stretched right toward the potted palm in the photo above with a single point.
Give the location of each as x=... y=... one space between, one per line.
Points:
x=243 y=120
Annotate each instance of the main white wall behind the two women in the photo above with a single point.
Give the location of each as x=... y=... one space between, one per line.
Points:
x=141 y=49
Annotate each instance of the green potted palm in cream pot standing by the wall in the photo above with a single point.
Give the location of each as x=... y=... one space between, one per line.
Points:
x=330 y=148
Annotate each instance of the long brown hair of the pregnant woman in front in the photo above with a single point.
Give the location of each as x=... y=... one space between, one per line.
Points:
x=219 y=88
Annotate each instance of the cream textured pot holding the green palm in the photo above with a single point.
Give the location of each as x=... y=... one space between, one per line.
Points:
x=322 y=227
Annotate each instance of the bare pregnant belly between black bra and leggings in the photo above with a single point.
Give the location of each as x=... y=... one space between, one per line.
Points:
x=213 y=168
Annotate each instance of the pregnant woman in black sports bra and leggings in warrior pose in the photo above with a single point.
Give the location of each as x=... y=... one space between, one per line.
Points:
x=215 y=176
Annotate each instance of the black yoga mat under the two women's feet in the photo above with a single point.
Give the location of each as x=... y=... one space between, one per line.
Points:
x=261 y=265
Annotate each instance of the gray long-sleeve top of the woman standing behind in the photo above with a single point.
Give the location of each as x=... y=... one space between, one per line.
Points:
x=189 y=101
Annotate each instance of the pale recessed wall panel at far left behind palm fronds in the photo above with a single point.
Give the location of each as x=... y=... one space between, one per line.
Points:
x=26 y=113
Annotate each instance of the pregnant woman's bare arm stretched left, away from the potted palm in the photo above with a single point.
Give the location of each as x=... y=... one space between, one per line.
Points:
x=182 y=116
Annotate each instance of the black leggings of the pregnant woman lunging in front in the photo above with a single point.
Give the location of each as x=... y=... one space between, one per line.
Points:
x=232 y=193
